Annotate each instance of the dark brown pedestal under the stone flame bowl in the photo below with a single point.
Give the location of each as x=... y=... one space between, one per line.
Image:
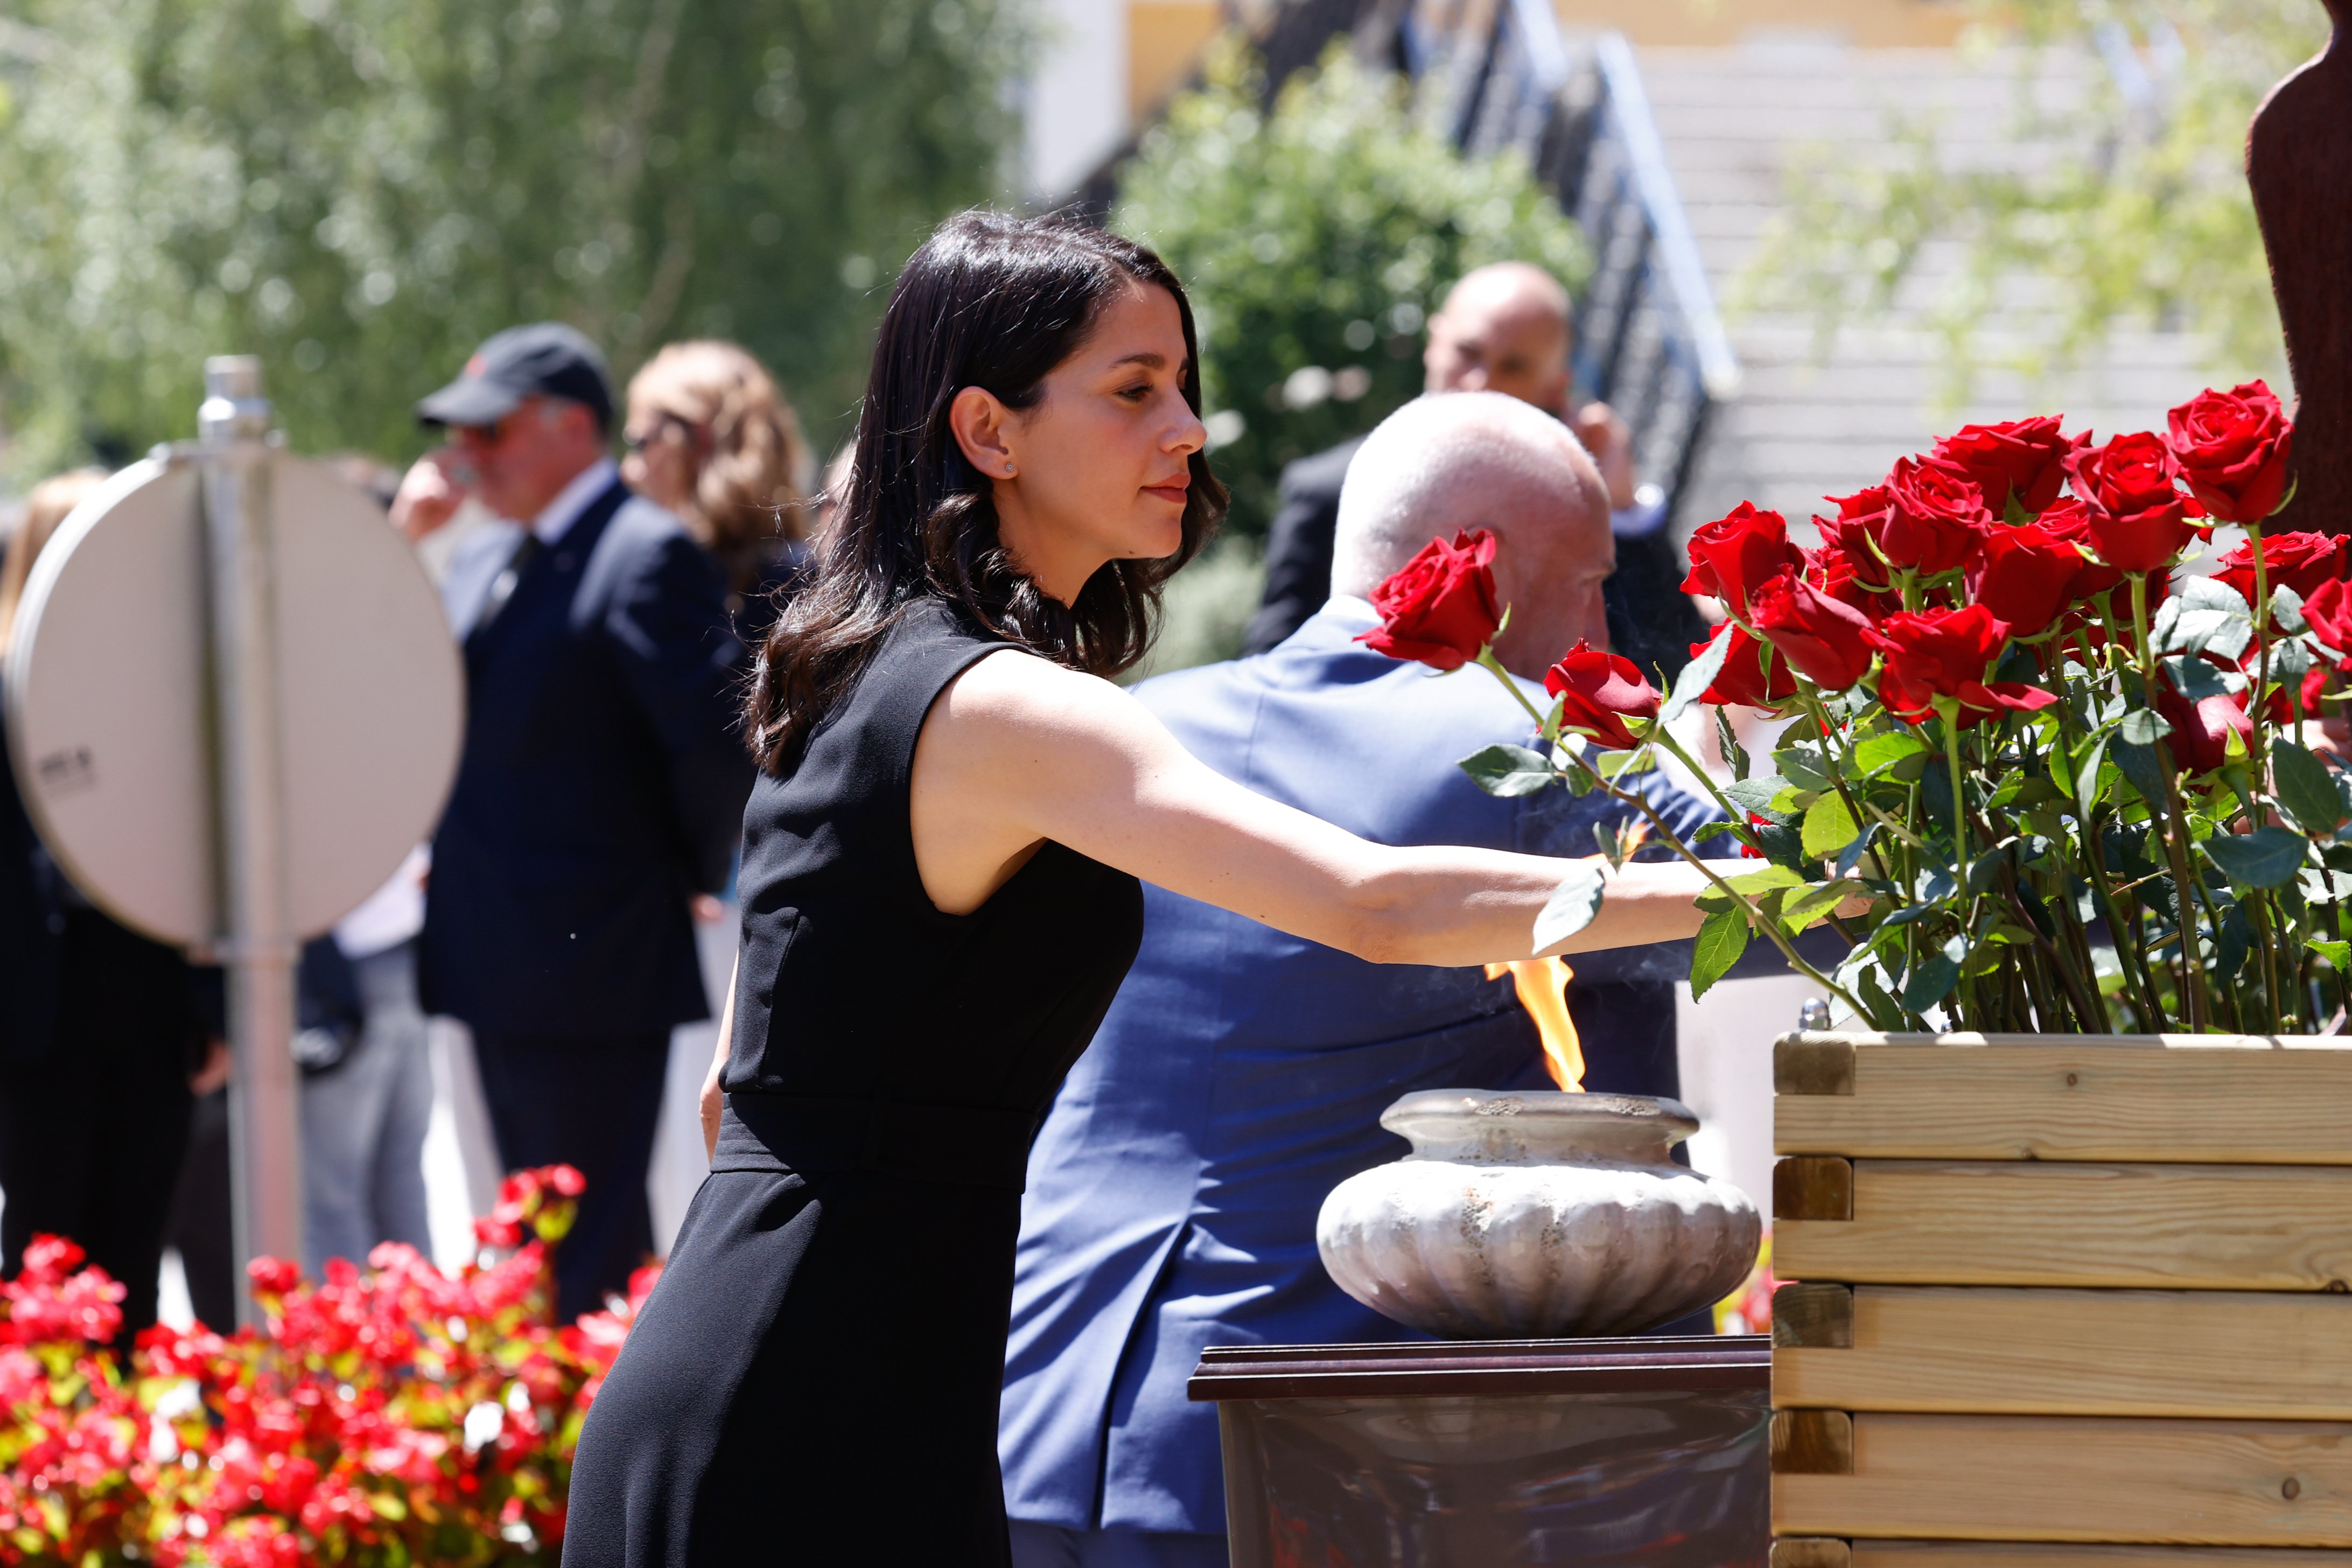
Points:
x=1497 y=1454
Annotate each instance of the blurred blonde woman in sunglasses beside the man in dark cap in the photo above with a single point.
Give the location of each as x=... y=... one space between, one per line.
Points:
x=714 y=443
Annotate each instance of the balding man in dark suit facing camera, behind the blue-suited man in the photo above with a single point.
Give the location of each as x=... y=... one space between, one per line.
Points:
x=1502 y=330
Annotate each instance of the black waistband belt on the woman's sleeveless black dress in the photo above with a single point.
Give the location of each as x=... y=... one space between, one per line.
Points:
x=968 y=1146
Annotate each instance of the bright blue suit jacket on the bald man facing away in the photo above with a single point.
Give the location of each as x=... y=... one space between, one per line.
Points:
x=1241 y=1076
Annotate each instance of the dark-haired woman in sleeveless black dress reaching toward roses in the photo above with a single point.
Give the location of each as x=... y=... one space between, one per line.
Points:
x=940 y=902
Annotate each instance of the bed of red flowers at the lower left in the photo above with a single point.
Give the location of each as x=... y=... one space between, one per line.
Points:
x=382 y=1419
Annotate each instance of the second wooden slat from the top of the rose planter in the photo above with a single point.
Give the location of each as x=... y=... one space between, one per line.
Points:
x=2050 y=1224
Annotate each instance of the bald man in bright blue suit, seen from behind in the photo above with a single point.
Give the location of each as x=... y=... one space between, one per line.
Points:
x=1241 y=1073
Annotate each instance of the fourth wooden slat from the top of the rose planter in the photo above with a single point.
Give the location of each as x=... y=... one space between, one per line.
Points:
x=2083 y=1480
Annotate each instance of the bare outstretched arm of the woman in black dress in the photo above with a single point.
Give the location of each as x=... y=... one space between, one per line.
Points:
x=1022 y=751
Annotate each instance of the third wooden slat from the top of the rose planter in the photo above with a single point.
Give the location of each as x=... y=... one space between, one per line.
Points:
x=2066 y=1353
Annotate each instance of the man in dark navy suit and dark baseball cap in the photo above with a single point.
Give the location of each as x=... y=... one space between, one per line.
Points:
x=601 y=789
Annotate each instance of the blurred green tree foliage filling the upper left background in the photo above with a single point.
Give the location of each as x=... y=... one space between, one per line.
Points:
x=366 y=189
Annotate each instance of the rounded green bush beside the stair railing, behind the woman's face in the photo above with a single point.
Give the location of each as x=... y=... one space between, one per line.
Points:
x=1316 y=241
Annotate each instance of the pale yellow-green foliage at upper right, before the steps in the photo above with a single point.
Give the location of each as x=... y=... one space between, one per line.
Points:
x=2134 y=210
